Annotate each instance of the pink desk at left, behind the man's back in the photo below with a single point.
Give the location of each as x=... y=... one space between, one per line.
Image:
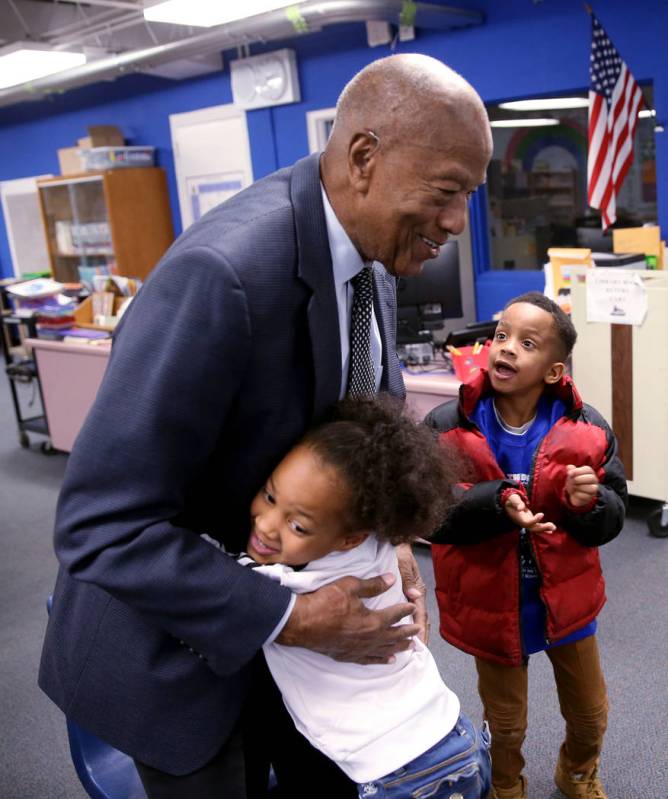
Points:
x=70 y=375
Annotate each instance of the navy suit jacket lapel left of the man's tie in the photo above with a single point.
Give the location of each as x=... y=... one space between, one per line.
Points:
x=315 y=269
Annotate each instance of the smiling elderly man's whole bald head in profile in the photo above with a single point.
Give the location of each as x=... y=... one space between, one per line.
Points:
x=411 y=141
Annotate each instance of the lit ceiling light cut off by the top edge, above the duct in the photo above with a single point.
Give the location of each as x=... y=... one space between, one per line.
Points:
x=206 y=13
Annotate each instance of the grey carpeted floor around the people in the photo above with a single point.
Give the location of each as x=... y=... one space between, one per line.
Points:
x=34 y=758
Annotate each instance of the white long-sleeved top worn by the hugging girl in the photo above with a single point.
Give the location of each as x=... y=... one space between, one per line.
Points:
x=370 y=720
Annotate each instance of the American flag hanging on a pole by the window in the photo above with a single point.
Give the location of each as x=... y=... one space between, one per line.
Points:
x=614 y=101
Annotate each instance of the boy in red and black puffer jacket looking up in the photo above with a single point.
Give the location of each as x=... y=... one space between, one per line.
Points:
x=517 y=565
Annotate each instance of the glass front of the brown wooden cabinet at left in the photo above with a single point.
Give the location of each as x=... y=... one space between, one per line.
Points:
x=77 y=227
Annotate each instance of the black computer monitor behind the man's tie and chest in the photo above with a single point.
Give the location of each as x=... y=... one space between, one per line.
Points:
x=425 y=301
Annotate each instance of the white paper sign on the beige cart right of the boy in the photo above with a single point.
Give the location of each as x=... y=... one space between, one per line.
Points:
x=616 y=296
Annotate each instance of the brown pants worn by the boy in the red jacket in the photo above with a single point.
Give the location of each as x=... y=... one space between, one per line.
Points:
x=582 y=699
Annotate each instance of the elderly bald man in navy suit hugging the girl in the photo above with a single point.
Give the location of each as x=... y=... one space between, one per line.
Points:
x=237 y=343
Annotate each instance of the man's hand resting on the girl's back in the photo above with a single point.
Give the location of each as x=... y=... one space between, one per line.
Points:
x=334 y=620
